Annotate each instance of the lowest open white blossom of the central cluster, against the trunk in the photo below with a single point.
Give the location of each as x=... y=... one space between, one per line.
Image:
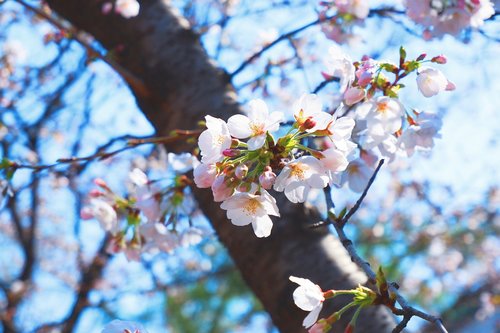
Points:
x=244 y=208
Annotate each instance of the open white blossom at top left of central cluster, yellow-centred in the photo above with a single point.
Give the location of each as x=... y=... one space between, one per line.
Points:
x=255 y=125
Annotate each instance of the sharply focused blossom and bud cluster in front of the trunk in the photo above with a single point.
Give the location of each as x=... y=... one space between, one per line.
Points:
x=240 y=173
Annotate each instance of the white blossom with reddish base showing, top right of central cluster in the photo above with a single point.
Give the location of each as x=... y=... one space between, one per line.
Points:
x=308 y=112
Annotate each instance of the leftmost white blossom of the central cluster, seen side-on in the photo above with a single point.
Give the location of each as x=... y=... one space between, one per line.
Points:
x=214 y=140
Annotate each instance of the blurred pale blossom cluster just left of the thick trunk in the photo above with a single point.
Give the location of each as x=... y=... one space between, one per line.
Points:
x=146 y=220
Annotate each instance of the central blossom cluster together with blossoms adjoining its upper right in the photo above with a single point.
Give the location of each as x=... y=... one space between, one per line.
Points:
x=319 y=148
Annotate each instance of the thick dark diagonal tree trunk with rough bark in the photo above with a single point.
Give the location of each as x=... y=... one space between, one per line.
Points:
x=181 y=86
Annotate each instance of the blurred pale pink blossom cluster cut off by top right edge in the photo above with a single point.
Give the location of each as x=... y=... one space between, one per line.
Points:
x=441 y=17
